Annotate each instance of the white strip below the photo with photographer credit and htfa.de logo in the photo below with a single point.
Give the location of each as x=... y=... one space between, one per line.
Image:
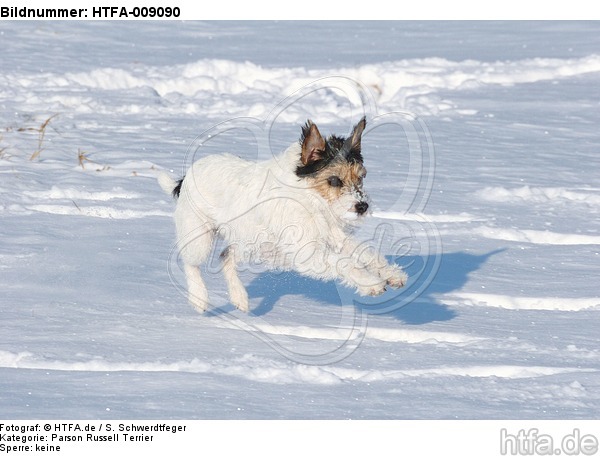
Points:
x=302 y=438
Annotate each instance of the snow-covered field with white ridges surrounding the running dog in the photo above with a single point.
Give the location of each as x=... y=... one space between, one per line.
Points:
x=483 y=151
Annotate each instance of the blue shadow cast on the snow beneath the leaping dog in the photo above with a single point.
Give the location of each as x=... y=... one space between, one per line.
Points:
x=415 y=304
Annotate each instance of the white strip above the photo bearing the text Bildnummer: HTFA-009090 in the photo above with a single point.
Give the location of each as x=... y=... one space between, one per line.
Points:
x=347 y=10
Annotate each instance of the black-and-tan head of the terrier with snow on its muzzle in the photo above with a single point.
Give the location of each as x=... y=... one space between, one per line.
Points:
x=334 y=168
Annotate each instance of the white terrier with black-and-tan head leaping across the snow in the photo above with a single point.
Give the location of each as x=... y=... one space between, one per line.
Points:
x=294 y=211
